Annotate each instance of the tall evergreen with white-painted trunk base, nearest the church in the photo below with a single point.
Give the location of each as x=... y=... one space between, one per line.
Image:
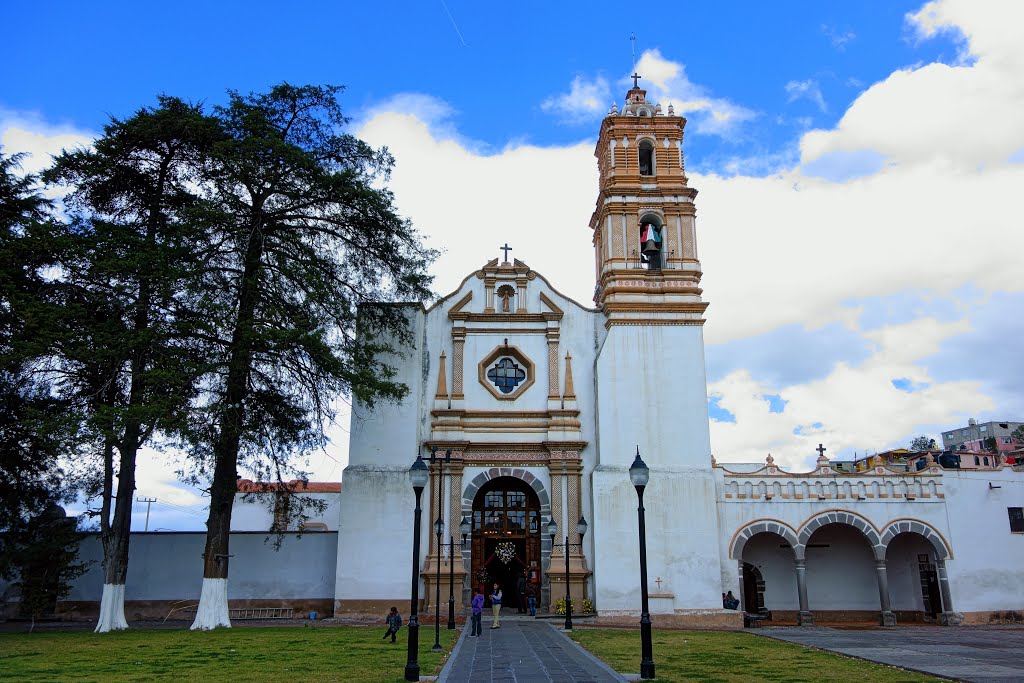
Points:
x=310 y=238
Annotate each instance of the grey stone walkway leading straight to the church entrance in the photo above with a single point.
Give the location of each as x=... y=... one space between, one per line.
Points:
x=524 y=651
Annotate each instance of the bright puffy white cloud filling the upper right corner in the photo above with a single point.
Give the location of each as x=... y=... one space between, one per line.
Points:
x=968 y=114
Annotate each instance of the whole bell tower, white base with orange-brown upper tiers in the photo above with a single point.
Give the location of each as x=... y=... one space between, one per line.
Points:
x=651 y=371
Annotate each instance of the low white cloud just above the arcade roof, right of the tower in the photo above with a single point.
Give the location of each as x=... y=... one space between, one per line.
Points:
x=857 y=407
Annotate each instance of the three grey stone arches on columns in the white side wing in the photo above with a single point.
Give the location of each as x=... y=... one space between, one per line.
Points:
x=837 y=566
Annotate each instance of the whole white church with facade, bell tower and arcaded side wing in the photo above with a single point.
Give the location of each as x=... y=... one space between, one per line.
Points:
x=534 y=406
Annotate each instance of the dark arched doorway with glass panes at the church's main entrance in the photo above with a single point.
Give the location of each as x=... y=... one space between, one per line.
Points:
x=506 y=537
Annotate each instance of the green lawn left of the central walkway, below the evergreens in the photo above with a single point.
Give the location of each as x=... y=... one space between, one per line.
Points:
x=322 y=654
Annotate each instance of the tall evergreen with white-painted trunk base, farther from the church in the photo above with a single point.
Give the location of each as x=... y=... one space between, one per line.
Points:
x=131 y=261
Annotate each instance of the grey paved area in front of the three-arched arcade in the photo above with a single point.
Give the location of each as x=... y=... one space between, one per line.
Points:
x=988 y=655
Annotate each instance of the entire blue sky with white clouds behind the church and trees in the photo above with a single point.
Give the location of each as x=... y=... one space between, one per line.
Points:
x=858 y=162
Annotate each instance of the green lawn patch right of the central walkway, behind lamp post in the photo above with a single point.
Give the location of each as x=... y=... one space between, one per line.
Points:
x=695 y=656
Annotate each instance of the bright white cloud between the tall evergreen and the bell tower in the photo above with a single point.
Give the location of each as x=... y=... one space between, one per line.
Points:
x=537 y=199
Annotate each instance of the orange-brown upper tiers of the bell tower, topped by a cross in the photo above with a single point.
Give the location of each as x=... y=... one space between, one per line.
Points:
x=645 y=222
